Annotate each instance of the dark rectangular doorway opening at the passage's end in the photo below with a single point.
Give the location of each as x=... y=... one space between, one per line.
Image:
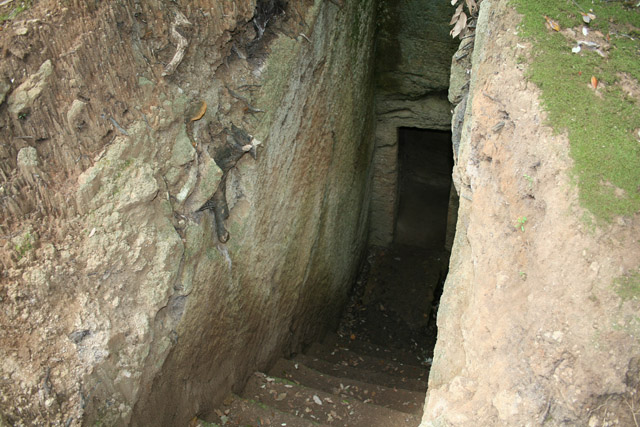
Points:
x=425 y=163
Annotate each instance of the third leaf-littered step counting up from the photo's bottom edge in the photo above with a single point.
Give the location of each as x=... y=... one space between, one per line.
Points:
x=398 y=399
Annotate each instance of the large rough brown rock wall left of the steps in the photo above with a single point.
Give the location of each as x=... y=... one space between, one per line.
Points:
x=120 y=302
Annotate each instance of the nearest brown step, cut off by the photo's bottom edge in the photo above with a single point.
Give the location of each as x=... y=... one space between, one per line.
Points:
x=237 y=411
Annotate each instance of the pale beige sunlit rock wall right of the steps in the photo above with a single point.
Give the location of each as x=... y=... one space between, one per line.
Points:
x=532 y=326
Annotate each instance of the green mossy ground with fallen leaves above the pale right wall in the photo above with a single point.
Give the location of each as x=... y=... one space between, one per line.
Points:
x=602 y=123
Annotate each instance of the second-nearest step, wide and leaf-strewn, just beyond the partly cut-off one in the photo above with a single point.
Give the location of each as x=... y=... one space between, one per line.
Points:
x=318 y=406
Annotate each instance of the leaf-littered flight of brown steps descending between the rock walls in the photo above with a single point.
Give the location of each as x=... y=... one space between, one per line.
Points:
x=340 y=382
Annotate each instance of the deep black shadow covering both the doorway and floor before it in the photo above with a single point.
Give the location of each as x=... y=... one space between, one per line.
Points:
x=395 y=301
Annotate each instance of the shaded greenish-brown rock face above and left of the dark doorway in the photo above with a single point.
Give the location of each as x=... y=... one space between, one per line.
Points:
x=413 y=54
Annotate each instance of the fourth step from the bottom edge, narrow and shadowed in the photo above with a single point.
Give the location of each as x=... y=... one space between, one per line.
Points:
x=369 y=376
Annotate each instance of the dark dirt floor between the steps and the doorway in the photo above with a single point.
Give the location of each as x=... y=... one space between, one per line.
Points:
x=395 y=299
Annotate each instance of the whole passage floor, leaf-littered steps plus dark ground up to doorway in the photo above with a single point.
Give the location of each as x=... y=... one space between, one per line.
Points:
x=373 y=371
